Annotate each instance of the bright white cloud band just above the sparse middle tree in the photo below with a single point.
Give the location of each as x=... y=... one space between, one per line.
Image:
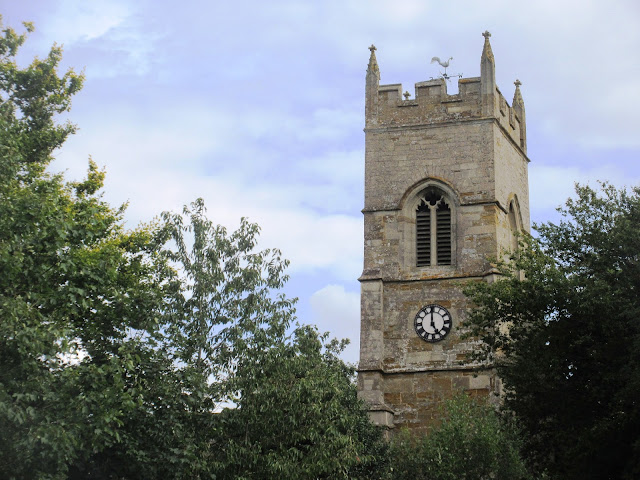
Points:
x=311 y=241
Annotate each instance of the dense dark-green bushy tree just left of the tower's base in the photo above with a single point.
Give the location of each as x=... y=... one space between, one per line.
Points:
x=298 y=416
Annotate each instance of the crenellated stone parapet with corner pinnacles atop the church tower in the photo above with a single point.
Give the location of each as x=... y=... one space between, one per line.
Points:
x=478 y=98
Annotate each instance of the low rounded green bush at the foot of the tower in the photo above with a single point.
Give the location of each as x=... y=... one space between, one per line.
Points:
x=472 y=442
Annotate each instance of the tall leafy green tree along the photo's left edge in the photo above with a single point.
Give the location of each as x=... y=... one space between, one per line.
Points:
x=78 y=293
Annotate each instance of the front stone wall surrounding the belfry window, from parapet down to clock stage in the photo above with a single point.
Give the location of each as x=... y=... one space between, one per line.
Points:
x=399 y=165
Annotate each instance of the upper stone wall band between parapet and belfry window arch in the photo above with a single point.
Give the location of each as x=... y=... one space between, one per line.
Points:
x=398 y=157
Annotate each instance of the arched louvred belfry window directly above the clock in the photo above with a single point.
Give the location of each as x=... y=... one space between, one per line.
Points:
x=433 y=230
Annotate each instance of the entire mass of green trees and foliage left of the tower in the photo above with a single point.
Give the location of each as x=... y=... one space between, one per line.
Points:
x=163 y=352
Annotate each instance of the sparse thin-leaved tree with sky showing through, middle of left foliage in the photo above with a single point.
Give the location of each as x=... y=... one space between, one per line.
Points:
x=222 y=308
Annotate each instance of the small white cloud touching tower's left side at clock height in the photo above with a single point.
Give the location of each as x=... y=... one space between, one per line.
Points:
x=338 y=311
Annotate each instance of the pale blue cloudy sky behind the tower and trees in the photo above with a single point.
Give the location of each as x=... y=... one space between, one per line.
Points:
x=258 y=108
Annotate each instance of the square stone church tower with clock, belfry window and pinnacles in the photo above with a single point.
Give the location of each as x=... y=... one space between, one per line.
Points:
x=446 y=189
